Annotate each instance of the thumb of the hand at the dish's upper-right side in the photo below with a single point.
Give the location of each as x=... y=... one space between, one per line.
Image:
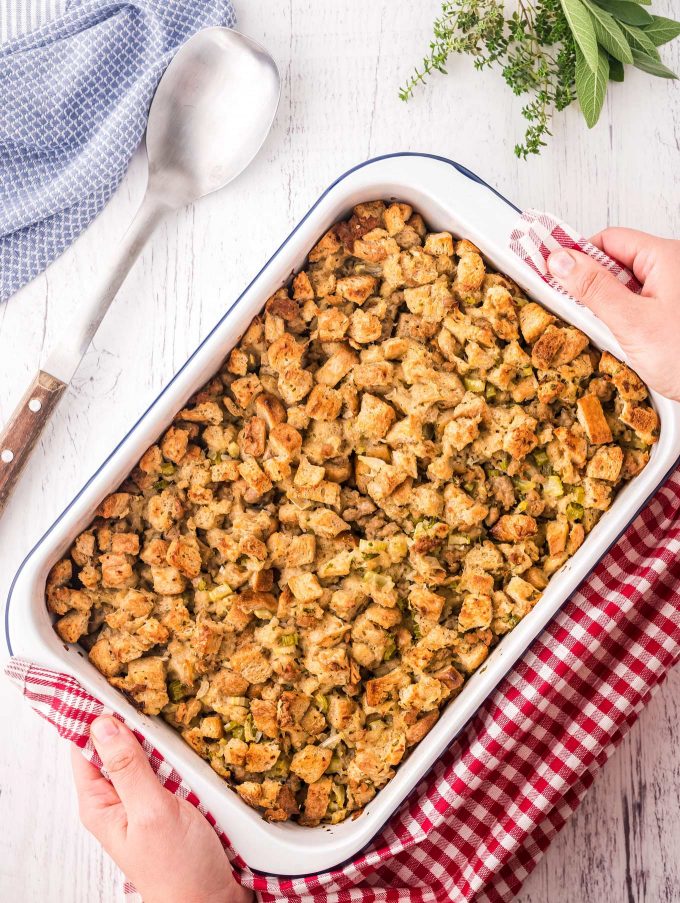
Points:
x=593 y=285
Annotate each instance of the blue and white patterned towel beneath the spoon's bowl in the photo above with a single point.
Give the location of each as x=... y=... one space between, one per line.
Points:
x=74 y=97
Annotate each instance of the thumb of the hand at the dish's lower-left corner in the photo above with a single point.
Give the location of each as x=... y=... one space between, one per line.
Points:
x=128 y=768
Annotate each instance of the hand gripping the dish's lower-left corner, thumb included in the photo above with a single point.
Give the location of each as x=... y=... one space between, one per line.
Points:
x=162 y=843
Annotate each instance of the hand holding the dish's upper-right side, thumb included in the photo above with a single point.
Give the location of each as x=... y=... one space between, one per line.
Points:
x=647 y=325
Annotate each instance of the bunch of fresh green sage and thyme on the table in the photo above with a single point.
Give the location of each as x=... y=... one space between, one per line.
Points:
x=551 y=52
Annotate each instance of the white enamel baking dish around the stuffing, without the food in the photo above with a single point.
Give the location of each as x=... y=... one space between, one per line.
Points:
x=450 y=198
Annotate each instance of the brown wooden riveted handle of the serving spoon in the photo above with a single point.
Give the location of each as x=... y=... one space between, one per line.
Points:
x=24 y=428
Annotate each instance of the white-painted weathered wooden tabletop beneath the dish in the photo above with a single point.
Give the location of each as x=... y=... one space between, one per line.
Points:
x=341 y=65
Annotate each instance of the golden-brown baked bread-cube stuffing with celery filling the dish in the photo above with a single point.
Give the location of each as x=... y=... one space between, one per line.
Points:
x=339 y=527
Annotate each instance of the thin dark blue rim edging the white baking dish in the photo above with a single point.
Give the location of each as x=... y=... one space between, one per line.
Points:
x=464 y=171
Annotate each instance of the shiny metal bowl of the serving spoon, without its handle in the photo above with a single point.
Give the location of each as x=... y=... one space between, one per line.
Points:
x=210 y=115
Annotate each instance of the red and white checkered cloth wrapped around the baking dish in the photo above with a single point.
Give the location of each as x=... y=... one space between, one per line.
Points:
x=478 y=823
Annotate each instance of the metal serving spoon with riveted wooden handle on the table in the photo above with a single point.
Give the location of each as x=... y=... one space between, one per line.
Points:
x=211 y=113
